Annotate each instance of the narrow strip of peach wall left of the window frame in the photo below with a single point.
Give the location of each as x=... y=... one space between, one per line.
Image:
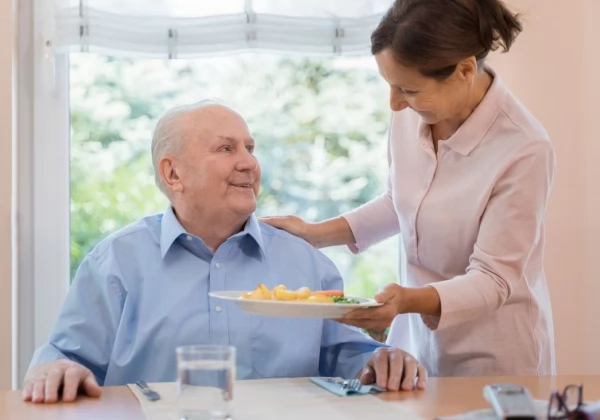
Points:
x=6 y=74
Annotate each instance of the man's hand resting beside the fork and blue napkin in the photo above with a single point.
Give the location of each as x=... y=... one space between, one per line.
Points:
x=394 y=370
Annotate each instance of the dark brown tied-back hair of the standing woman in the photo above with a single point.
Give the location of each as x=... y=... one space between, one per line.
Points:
x=432 y=36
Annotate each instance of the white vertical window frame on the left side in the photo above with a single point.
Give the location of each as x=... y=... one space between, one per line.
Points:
x=42 y=235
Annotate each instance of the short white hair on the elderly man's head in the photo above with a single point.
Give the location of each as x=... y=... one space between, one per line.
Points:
x=167 y=138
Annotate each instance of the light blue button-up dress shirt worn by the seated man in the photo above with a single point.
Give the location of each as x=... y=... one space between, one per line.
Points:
x=143 y=291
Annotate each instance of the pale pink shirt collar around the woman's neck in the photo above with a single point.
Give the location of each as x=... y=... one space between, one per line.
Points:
x=476 y=126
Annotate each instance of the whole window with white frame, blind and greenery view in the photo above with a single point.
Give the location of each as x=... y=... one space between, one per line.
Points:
x=102 y=71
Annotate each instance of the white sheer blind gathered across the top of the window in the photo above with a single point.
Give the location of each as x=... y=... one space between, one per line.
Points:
x=188 y=28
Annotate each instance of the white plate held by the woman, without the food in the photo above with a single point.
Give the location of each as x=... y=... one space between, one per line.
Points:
x=294 y=309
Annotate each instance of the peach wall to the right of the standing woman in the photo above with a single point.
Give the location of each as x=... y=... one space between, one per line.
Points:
x=550 y=71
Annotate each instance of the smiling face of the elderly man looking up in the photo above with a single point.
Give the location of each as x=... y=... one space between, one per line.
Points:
x=217 y=170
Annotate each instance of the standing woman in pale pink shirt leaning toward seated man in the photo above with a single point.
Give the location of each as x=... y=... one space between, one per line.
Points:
x=470 y=171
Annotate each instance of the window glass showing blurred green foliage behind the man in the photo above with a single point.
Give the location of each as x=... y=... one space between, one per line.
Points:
x=320 y=125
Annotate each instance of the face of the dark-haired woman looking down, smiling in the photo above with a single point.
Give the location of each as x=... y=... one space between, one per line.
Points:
x=434 y=101
